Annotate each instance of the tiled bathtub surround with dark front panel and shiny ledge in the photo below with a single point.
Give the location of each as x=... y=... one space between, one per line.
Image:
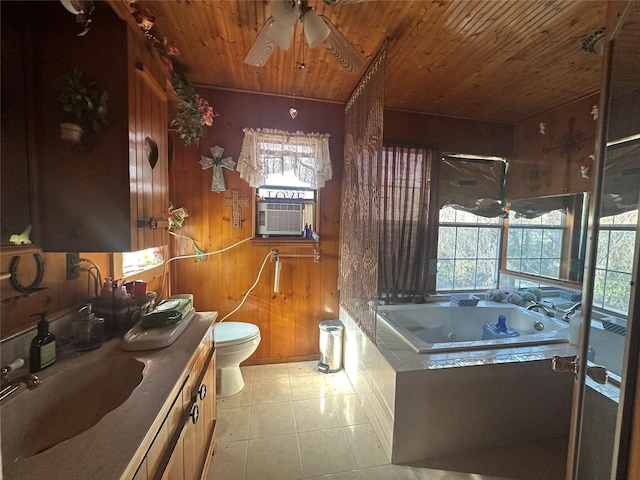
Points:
x=425 y=407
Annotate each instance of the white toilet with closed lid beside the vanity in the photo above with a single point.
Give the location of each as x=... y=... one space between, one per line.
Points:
x=234 y=342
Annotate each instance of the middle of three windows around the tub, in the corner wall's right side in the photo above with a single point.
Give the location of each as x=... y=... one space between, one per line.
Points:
x=534 y=245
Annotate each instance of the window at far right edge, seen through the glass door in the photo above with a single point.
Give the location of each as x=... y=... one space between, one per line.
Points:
x=616 y=250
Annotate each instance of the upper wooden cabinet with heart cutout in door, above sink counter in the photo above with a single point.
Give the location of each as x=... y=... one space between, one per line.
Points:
x=99 y=195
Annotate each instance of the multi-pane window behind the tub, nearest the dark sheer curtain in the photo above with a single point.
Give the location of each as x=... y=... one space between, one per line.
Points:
x=468 y=251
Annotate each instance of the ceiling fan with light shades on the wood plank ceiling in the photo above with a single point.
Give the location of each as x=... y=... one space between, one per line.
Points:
x=318 y=31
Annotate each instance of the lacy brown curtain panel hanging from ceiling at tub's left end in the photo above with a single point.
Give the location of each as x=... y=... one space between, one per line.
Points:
x=360 y=198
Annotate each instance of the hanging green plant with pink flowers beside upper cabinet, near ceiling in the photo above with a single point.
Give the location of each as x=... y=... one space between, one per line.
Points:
x=194 y=112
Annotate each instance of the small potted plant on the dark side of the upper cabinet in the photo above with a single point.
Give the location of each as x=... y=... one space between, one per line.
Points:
x=85 y=104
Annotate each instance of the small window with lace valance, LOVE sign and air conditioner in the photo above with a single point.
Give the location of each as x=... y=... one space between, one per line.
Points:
x=286 y=169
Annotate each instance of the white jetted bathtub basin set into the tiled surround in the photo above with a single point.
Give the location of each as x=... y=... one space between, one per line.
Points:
x=441 y=326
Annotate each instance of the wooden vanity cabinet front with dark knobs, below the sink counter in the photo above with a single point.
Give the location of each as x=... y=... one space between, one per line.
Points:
x=183 y=446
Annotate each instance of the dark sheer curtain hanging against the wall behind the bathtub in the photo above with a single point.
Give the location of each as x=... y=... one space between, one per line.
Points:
x=405 y=228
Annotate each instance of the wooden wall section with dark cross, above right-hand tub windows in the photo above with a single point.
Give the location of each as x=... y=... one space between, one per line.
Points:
x=540 y=164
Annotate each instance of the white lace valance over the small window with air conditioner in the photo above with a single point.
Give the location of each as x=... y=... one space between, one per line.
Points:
x=266 y=151
